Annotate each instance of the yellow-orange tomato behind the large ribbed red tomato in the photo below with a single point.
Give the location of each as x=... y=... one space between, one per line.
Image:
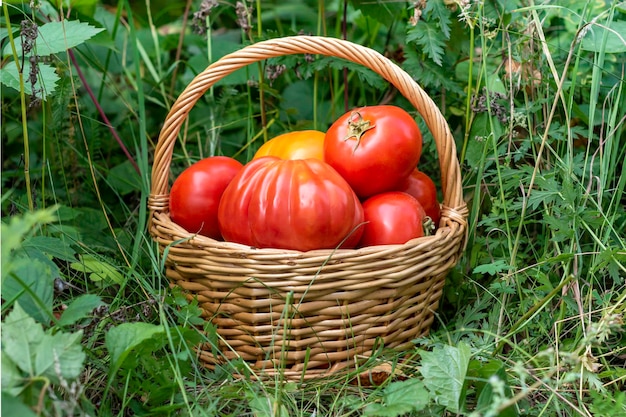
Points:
x=294 y=145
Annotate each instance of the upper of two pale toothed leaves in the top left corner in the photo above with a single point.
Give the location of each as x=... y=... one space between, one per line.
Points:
x=58 y=36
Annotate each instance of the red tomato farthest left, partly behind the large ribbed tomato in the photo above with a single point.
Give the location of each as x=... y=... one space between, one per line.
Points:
x=196 y=193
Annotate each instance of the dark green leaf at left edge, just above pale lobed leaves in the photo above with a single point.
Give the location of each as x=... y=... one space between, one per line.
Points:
x=31 y=282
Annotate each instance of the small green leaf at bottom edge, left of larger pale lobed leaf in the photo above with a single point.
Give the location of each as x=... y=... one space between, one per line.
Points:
x=400 y=398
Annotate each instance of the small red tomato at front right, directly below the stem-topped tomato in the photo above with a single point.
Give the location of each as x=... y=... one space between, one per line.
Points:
x=392 y=217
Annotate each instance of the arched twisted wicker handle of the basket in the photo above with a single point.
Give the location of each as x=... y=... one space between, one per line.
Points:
x=449 y=166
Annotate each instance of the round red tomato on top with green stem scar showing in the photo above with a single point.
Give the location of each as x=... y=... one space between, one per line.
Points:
x=374 y=148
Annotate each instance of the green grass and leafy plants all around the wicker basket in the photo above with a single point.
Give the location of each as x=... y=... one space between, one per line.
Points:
x=532 y=318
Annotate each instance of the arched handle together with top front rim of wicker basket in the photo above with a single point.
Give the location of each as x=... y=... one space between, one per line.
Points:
x=453 y=208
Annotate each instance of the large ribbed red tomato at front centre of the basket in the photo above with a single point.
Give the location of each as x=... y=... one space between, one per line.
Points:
x=300 y=204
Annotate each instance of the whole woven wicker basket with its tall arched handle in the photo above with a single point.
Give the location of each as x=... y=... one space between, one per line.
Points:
x=306 y=315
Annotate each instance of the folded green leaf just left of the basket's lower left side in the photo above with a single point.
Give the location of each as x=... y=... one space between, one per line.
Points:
x=121 y=340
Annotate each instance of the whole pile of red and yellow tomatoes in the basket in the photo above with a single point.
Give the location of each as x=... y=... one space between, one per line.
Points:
x=355 y=185
